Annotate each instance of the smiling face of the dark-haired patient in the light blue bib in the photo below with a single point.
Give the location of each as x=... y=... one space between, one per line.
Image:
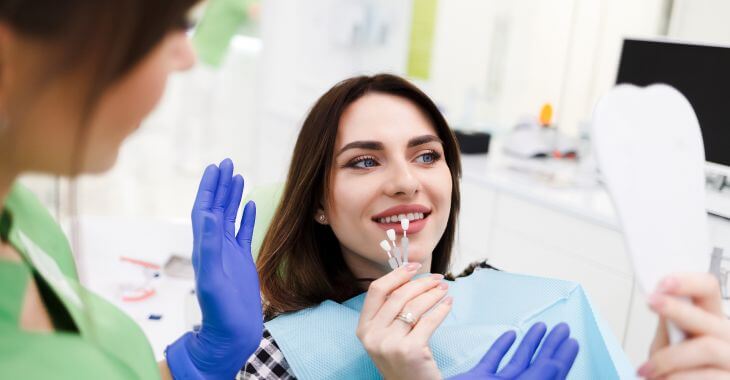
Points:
x=388 y=163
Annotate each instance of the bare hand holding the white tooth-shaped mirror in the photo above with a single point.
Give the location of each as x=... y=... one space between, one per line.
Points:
x=705 y=354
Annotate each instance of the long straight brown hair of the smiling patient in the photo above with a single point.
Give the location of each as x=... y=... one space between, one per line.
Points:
x=300 y=263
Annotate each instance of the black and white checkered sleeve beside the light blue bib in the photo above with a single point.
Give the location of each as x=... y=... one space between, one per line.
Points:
x=267 y=362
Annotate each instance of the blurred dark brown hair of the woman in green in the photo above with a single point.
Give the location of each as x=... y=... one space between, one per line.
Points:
x=105 y=38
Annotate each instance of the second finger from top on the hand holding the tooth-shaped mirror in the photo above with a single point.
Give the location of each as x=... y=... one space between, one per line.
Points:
x=689 y=317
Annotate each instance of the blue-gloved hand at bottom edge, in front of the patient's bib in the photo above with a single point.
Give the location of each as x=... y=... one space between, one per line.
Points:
x=554 y=360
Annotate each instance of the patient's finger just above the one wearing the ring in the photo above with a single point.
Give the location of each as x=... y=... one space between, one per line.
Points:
x=396 y=302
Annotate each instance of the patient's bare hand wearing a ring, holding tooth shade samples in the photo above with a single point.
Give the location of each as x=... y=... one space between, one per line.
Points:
x=399 y=348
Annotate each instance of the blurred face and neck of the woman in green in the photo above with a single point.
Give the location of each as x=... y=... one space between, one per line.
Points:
x=46 y=139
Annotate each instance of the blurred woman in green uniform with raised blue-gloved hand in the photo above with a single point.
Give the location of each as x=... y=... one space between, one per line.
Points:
x=76 y=78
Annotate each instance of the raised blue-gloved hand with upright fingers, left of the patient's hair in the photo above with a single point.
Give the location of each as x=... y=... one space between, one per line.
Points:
x=226 y=281
